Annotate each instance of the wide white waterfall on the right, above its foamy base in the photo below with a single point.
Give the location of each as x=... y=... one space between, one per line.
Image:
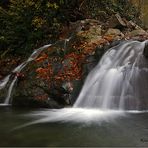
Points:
x=119 y=81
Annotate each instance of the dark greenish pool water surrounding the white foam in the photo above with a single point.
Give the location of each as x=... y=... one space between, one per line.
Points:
x=129 y=130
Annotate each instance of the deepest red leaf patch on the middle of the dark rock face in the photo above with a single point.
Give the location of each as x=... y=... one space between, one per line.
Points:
x=71 y=68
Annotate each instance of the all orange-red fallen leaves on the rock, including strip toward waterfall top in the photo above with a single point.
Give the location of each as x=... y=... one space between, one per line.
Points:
x=72 y=62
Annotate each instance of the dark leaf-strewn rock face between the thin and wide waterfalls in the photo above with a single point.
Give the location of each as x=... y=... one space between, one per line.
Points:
x=55 y=78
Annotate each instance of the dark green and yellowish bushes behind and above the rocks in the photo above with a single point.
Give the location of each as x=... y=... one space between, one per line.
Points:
x=28 y=24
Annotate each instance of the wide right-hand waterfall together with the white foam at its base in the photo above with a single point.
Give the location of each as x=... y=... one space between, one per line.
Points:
x=116 y=87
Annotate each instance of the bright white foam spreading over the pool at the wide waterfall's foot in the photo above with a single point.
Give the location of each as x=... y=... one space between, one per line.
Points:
x=73 y=115
